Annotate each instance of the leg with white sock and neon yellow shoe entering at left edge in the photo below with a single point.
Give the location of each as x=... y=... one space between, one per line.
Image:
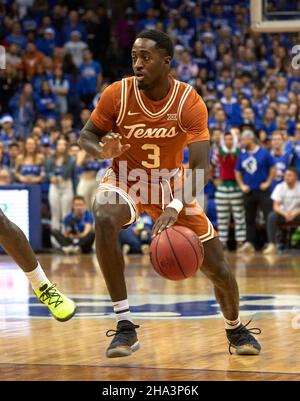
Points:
x=13 y=240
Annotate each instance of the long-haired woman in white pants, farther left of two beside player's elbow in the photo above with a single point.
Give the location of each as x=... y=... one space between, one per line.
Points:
x=60 y=170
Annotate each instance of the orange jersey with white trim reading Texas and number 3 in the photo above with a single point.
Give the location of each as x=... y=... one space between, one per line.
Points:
x=158 y=131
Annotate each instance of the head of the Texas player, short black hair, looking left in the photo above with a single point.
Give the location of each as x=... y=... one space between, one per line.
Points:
x=152 y=53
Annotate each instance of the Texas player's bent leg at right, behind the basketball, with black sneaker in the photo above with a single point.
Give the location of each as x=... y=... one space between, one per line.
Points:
x=225 y=286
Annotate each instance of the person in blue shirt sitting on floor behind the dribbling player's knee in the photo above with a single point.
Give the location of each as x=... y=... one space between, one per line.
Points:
x=78 y=235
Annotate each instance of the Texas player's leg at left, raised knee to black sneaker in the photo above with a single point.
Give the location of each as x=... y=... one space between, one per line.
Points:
x=110 y=216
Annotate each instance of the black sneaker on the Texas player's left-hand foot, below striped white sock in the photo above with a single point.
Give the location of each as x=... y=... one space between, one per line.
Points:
x=125 y=340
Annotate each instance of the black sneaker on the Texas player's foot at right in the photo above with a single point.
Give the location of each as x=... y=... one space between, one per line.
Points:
x=243 y=341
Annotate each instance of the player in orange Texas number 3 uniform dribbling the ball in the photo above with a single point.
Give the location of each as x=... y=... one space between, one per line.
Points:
x=147 y=120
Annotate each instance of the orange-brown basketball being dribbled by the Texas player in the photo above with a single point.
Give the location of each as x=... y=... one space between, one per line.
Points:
x=176 y=253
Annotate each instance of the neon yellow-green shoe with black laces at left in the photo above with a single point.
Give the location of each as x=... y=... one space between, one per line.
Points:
x=61 y=307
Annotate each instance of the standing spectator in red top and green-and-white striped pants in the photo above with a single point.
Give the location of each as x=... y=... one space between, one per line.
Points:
x=229 y=198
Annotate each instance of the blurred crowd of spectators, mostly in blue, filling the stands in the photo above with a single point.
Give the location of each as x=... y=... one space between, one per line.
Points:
x=61 y=55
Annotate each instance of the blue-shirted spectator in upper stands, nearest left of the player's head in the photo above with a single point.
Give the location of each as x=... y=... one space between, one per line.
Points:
x=90 y=78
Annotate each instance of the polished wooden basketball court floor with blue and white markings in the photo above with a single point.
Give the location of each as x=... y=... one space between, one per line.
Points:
x=182 y=333
